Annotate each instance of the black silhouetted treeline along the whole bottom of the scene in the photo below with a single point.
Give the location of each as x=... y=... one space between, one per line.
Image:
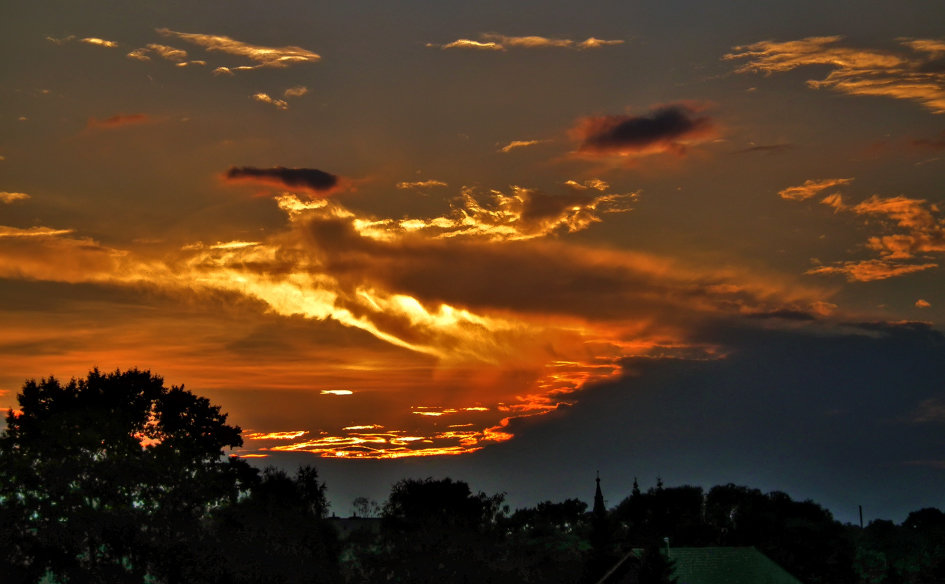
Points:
x=116 y=478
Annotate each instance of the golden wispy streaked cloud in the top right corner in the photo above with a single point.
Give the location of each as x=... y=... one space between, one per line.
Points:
x=914 y=75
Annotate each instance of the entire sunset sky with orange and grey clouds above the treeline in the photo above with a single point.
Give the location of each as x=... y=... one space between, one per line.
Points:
x=514 y=243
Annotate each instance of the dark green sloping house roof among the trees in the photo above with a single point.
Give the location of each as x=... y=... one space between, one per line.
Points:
x=727 y=565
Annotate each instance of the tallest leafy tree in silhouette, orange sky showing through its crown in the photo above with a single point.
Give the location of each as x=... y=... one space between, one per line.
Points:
x=107 y=478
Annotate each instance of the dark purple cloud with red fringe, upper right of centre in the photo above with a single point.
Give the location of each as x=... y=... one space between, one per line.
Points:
x=667 y=128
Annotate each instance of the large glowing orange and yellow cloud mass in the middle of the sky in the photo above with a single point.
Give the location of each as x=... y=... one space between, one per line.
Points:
x=483 y=361
